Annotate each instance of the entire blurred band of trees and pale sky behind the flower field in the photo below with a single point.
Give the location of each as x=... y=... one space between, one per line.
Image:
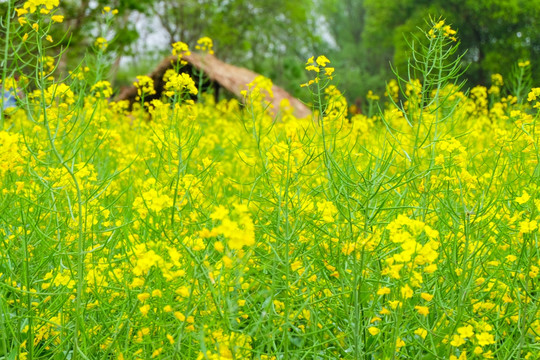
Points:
x=274 y=38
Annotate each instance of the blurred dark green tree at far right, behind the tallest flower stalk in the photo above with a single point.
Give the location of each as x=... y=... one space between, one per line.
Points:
x=496 y=33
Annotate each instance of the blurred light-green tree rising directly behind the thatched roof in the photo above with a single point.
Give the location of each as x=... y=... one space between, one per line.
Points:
x=267 y=36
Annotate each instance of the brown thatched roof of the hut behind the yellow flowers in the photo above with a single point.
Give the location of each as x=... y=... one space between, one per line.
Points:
x=227 y=76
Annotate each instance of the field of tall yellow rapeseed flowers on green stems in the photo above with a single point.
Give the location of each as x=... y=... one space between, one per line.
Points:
x=233 y=230
